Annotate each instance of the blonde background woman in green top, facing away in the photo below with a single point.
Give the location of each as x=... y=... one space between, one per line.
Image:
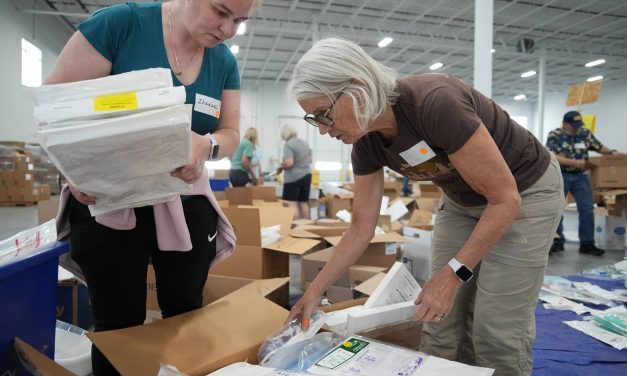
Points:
x=242 y=172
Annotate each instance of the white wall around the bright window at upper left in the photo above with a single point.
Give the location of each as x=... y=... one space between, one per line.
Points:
x=16 y=104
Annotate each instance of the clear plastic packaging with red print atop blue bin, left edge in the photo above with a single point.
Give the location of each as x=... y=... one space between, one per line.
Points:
x=27 y=242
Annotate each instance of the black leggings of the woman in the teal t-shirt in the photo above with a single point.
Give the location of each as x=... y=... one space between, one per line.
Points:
x=115 y=263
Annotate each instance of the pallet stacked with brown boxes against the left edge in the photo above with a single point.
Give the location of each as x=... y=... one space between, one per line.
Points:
x=19 y=183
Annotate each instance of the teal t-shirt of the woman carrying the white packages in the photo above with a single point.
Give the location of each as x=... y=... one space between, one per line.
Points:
x=130 y=36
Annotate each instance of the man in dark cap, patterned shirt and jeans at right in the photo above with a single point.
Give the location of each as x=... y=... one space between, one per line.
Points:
x=571 y=143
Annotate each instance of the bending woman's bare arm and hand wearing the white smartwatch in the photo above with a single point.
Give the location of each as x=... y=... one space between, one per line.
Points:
x=482 y=166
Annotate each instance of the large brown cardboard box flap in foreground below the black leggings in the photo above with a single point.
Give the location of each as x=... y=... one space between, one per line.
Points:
x=196 y=342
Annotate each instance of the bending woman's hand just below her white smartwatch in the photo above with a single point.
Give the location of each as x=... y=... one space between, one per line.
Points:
x=437 y=296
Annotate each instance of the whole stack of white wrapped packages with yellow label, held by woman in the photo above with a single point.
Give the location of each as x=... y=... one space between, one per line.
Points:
x=118 y=137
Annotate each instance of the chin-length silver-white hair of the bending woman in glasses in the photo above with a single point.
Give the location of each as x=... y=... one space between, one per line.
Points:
x=334 y=66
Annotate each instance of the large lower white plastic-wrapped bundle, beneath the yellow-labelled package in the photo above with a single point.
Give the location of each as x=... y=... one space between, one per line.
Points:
x=125 y=161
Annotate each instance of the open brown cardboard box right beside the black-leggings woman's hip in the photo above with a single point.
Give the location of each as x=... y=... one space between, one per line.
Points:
x=250 y=259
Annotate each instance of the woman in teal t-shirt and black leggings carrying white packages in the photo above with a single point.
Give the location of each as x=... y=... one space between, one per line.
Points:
x=185 y=36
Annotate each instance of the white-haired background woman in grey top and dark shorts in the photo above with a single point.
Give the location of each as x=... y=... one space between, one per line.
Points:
x=296 y=172
